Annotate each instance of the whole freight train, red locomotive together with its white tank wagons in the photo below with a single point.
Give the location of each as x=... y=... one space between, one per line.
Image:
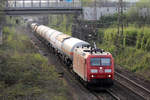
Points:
x=93 y=66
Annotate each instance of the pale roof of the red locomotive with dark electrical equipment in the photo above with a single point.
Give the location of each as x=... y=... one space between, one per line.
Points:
x=86 y=51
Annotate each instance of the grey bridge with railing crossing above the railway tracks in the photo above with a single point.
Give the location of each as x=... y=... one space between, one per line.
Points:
x=22 y=7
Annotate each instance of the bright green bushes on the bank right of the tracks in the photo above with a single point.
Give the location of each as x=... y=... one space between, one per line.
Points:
x=131 y=50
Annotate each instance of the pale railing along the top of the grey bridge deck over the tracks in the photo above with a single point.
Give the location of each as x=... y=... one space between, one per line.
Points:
x=43 y=4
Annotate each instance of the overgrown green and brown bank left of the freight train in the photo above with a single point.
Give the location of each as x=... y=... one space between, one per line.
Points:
x=24 y=73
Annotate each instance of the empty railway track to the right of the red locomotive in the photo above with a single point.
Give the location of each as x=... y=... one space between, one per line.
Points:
x=133 y=86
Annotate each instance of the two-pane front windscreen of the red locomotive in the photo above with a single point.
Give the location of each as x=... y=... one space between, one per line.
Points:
x=100 y=62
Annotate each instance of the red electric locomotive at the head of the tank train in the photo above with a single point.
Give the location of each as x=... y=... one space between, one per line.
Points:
x=95 y=67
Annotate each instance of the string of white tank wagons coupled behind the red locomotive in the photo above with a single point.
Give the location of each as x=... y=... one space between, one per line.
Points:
x=59 y=41
